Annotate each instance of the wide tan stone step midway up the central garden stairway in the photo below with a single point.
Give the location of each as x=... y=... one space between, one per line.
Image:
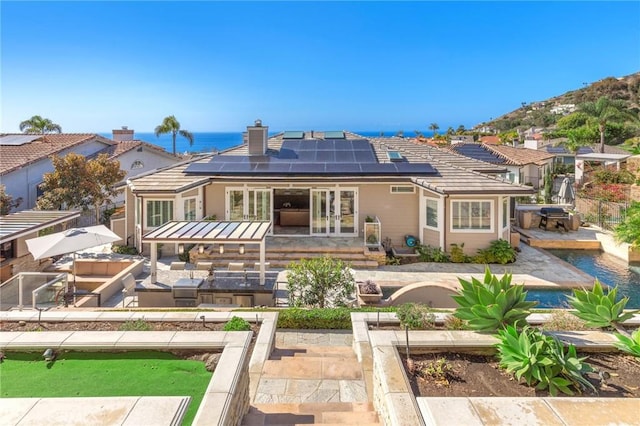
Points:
x=313 y=367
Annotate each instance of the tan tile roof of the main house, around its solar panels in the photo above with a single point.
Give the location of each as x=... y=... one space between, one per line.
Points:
x=453 y=173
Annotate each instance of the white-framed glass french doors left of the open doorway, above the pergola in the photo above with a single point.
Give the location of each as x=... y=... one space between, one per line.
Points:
x=248 y=204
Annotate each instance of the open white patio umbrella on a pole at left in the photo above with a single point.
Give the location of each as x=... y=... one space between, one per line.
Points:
x=70 y=241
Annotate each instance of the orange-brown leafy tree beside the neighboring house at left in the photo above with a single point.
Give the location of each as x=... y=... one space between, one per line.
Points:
x=78 y=183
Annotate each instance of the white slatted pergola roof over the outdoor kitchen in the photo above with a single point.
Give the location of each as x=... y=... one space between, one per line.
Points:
x=209 y=232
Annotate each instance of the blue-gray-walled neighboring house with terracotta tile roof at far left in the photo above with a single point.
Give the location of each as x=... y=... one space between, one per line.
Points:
x=24 y=159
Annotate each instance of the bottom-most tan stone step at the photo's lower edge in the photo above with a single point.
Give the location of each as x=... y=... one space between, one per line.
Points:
x=336 y=413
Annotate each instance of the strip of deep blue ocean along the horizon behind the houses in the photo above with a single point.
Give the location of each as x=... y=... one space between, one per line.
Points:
x=212 y=141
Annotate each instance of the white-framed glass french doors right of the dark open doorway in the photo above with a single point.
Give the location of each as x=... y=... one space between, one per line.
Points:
x=334 y=211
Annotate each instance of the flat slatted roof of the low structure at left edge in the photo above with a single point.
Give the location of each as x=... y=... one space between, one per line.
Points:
x=26 y=222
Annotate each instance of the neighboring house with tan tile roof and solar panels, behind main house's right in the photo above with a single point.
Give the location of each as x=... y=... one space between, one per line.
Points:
x=525 y=166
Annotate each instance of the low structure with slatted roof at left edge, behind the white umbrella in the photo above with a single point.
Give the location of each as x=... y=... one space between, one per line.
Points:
x=15 y=229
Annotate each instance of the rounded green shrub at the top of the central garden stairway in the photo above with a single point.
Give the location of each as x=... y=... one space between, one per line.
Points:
x=320 y=282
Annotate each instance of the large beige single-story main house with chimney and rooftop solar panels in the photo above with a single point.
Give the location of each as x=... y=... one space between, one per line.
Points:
x=325 y=184
